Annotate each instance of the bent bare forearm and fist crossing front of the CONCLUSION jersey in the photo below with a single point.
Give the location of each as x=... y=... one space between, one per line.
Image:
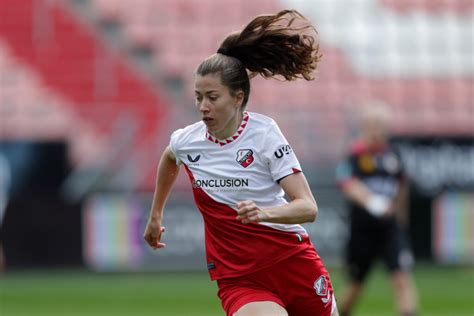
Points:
x=302 y=207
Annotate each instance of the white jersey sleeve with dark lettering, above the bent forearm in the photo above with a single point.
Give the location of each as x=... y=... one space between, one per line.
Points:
x=278 y=154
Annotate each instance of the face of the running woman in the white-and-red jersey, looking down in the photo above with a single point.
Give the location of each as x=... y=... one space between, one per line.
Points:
x=219 y=109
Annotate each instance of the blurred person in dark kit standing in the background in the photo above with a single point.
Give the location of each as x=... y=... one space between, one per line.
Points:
x=373 y=181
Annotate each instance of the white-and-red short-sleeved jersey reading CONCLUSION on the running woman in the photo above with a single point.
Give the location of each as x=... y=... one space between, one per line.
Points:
x=246 y=166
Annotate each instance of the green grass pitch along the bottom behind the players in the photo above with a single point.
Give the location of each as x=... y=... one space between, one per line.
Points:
x=443 y=292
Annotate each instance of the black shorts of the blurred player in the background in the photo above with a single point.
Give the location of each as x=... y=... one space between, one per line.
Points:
x=385 y=241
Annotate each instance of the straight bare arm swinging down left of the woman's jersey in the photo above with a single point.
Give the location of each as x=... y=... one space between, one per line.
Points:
x=167 y=173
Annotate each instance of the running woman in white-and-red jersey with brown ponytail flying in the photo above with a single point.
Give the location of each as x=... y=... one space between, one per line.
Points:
x=240 y=166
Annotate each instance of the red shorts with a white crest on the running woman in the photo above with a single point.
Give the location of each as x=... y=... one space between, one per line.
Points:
x=300 y=284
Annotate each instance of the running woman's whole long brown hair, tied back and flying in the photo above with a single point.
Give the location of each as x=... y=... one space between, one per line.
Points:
x=282 y=45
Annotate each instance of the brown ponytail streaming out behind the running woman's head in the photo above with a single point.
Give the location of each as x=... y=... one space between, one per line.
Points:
x=273 y=45
